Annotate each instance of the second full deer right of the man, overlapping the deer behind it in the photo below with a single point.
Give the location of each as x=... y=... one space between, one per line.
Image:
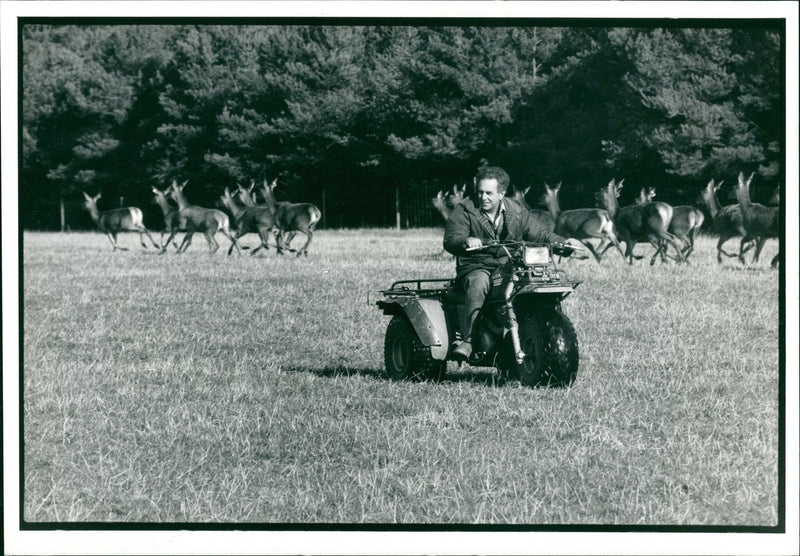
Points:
x=637 y=223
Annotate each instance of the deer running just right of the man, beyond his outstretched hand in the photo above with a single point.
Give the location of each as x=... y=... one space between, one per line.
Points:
x=581 y=224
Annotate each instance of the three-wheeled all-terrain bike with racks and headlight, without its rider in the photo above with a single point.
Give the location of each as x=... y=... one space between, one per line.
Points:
x=521 y=329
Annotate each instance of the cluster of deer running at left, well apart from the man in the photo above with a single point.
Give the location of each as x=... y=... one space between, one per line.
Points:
x=281 y=219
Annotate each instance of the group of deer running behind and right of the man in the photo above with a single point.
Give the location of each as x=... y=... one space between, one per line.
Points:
x=649 y=221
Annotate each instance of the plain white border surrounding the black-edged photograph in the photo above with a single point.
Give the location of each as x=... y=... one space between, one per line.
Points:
x=390 y=542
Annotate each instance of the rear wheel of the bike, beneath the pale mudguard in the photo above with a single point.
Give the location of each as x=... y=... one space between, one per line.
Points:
x=405 y=356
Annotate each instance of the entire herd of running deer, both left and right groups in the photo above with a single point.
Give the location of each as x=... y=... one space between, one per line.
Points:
x=650 y=221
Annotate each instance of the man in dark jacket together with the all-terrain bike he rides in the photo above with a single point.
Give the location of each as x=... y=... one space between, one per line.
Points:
x=503 y=309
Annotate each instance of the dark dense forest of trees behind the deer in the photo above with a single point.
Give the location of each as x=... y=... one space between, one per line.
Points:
x=366 y=114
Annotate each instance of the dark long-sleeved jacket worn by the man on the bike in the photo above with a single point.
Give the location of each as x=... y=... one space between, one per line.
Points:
x=466 y=221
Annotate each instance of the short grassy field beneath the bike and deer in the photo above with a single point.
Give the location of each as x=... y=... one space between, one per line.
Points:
x=221 y=389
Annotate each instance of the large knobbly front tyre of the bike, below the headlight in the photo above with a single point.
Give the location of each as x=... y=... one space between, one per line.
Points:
x=550 y=346
